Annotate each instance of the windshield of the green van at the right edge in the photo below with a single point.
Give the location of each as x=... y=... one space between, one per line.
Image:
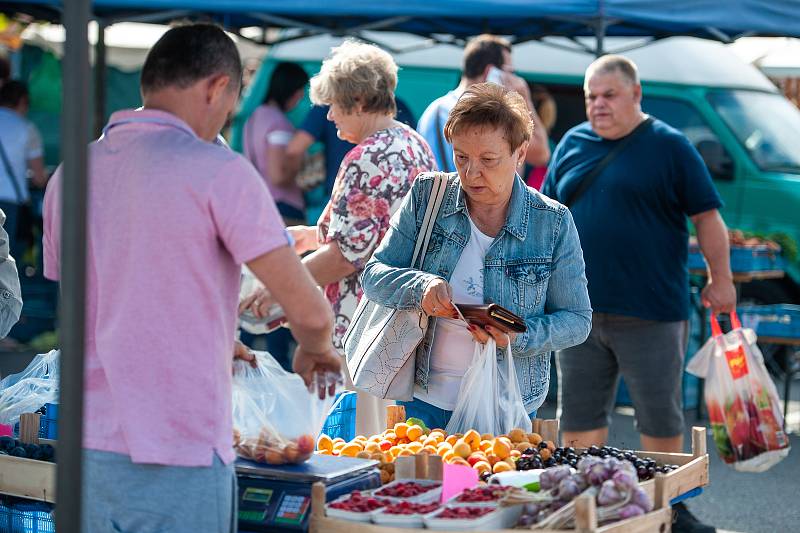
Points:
x=766 y=124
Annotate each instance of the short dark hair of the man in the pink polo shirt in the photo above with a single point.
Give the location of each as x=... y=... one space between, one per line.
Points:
x=189 y=53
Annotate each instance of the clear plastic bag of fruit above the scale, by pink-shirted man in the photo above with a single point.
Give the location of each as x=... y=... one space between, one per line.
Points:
x=275 y=417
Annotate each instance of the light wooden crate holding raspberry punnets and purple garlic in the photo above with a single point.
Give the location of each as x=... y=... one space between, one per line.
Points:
x=659 y=520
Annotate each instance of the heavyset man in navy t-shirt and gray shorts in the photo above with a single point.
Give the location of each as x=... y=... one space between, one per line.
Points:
x=632 y=223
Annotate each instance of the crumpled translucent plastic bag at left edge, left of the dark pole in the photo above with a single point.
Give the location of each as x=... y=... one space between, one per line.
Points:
x=30 y=389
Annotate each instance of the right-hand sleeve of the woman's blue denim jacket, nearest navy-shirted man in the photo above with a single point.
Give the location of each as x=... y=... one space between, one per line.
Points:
x=568 y=313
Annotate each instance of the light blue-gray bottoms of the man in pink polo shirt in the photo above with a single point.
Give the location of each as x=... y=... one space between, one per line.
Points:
x=120 y=496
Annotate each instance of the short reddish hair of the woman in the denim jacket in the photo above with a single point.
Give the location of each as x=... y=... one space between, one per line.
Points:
x=489 y=104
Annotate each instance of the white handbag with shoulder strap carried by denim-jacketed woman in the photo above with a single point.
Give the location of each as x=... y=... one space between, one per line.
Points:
x=380 y=343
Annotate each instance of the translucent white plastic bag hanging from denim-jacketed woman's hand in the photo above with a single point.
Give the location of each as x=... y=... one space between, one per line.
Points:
x=489 y=399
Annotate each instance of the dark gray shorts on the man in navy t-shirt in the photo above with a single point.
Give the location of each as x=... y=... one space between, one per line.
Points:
x=647 y=353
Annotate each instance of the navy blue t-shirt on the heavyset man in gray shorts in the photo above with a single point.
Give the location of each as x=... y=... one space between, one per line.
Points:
x=632 y=220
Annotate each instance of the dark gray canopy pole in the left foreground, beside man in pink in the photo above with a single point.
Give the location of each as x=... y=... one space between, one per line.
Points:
x=75 y=116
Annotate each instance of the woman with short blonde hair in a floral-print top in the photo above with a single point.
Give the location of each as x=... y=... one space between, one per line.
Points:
x=358 y=81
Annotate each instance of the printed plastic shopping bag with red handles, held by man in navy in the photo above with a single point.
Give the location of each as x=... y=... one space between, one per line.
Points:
x=743 y=404
